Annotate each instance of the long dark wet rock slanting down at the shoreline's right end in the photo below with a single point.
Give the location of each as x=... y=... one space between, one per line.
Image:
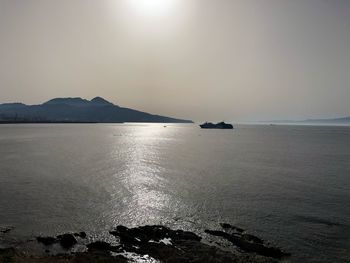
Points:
x=249 y=243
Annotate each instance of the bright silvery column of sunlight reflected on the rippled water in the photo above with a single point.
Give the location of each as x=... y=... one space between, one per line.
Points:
x=141 y=176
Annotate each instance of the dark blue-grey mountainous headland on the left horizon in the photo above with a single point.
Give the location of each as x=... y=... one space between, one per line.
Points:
x=77 y=110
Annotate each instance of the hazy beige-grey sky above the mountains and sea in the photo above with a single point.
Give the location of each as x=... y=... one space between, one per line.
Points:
x=198 y=59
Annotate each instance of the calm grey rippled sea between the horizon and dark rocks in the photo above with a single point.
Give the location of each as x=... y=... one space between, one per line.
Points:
x=287 y=184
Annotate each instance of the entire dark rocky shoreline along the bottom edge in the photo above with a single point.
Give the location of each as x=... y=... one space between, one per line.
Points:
x=152 y=244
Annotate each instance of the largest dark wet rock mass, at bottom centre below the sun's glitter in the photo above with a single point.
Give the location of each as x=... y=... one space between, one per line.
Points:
x=183 y=246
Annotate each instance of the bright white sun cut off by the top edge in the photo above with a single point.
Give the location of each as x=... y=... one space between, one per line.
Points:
x=152 y=7
